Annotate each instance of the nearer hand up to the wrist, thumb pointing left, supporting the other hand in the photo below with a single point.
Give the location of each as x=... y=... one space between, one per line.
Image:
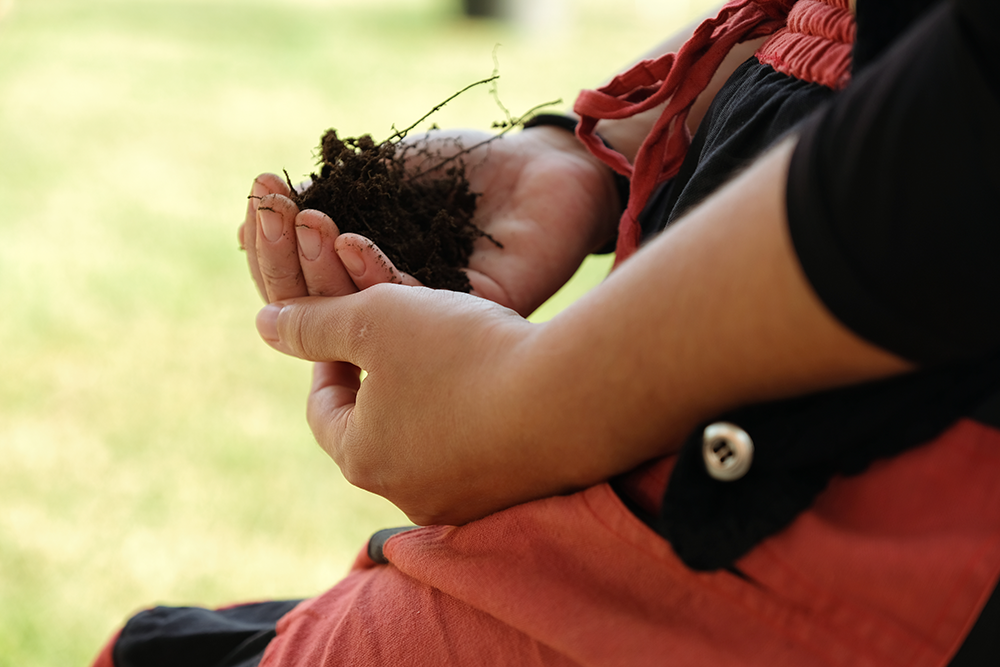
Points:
x=434 y=427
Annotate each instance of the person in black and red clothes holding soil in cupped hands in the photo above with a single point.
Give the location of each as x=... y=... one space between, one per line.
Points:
x=811 y=303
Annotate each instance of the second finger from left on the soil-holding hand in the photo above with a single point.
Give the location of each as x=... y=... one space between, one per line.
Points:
x=277 y=249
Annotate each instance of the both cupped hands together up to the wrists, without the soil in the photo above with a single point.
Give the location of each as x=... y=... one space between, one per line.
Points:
x=404 y=433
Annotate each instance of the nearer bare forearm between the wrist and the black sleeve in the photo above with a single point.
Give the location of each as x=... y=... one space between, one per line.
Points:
x=713 y=314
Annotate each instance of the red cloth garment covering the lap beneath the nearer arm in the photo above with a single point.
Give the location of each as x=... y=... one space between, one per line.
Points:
x=890 y=567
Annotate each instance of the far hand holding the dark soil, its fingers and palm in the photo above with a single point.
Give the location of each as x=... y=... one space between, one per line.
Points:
x=547 y=200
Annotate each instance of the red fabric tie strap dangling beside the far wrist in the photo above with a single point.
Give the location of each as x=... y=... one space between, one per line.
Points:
x=678 y=77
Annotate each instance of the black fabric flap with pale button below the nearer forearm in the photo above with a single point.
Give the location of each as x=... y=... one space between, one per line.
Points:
x=800 y=444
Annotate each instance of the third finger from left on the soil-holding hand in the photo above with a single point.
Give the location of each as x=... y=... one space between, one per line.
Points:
x=322 y=269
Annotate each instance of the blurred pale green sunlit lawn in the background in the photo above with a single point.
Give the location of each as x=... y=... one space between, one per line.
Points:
x=153 y=450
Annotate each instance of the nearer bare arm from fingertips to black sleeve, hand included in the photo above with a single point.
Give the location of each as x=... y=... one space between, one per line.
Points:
x=468 y=408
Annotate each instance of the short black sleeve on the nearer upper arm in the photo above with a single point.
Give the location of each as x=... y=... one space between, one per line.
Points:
x=893 y=192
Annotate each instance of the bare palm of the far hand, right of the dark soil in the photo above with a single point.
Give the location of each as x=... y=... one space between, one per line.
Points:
x=544 y=198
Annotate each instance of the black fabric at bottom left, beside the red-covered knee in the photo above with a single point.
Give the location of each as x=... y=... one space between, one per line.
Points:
x=197 y=637
